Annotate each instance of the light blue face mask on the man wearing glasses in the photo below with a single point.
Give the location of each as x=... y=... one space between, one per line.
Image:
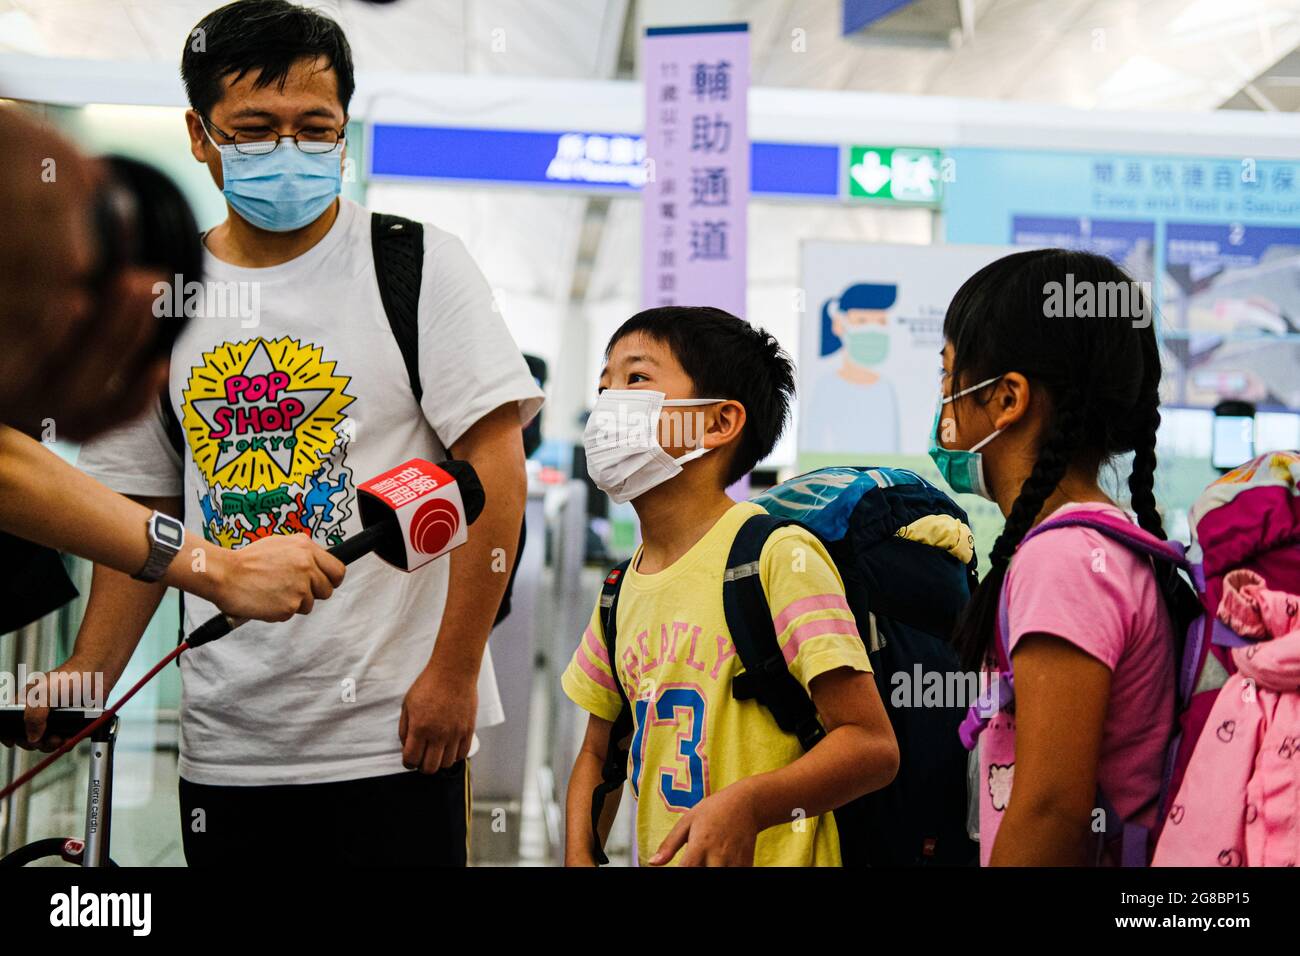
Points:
x=283 y=191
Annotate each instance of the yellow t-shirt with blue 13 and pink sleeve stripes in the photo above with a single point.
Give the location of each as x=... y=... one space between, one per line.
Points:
x=677 y=663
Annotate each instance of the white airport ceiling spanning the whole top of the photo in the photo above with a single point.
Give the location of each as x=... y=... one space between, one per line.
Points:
x=1090 y=54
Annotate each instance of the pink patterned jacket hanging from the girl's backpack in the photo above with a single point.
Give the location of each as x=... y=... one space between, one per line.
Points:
x=1240 y=803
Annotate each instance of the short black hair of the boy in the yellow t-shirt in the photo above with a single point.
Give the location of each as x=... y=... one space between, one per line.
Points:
x=726 y=357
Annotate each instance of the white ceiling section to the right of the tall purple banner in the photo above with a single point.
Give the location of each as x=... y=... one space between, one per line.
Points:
x=1087 y=54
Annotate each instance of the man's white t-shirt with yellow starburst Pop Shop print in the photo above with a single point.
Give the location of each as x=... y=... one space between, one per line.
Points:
x=318 y=698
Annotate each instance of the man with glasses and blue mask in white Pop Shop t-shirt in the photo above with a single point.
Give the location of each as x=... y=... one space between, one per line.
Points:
x=343 y=737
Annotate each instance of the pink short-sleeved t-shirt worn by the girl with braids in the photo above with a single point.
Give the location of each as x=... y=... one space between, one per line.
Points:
x=1086 y=589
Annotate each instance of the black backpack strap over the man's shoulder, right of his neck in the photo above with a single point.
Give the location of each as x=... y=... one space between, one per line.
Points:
x=398 y=248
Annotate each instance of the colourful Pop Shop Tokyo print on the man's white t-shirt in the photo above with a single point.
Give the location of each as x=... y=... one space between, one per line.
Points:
x=268 y=436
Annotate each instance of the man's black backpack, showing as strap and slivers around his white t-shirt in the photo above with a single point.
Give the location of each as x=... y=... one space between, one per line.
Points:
x=398 y=249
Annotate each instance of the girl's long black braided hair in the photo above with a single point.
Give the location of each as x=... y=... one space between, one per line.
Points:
x=1099 y=367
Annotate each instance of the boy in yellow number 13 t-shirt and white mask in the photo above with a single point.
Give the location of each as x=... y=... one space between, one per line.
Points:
x=691 y=401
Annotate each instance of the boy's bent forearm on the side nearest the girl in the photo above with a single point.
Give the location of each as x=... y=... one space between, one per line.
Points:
x=847 y=763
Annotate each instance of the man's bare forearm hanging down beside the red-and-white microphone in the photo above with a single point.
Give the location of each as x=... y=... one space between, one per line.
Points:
x=480 y=569
